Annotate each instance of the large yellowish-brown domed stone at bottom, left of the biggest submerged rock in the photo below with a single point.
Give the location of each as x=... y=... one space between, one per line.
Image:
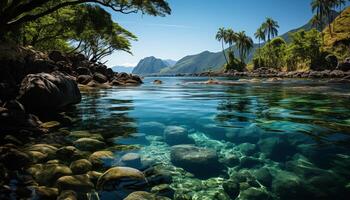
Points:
x=119 y=177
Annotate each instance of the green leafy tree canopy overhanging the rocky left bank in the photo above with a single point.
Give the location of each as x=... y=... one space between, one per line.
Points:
x=83 y=26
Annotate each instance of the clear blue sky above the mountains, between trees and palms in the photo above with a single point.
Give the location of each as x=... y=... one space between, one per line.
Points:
x=192 y=26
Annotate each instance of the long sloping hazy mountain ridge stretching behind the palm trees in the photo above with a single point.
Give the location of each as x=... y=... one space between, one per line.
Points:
x=214 y=61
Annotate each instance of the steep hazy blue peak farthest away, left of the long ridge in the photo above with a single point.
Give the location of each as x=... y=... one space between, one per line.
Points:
x=150 y=65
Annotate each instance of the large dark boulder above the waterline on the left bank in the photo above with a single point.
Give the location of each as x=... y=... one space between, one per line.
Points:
x=48 y=91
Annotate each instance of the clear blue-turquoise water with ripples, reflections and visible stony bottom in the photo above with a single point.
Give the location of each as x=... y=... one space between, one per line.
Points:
x=276 y=140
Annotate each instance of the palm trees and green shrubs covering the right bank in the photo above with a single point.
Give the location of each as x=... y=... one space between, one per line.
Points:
x=322 y=52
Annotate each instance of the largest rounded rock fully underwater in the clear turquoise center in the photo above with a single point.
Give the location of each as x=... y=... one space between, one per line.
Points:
x=199 y=161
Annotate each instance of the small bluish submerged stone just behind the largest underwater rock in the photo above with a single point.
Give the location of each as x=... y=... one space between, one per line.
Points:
x=174 y=135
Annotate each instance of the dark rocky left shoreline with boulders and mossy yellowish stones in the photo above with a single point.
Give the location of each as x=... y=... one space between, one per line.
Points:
x=41 y=159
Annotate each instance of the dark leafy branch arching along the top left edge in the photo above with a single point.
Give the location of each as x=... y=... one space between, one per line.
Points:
x=15 y=13
